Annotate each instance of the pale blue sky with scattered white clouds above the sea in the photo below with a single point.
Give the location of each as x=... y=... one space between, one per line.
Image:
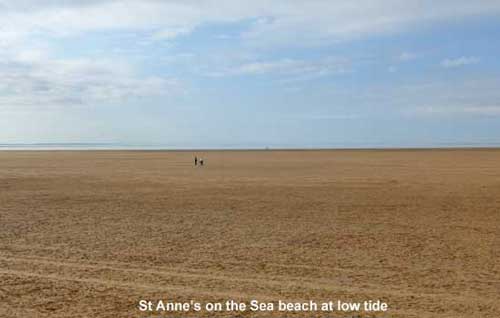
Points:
x=228 y=73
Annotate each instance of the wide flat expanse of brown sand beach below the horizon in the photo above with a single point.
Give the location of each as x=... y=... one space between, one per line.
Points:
x=88 y=234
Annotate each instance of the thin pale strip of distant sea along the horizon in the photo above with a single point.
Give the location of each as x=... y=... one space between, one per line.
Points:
x=123 y=146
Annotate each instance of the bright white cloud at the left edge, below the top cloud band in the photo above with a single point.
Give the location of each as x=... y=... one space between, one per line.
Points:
x=35 y=80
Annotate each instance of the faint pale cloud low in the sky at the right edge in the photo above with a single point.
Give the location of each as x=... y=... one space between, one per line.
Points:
x=450 y=97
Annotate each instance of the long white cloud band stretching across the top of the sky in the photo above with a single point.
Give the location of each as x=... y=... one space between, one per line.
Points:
x=280 y=22
